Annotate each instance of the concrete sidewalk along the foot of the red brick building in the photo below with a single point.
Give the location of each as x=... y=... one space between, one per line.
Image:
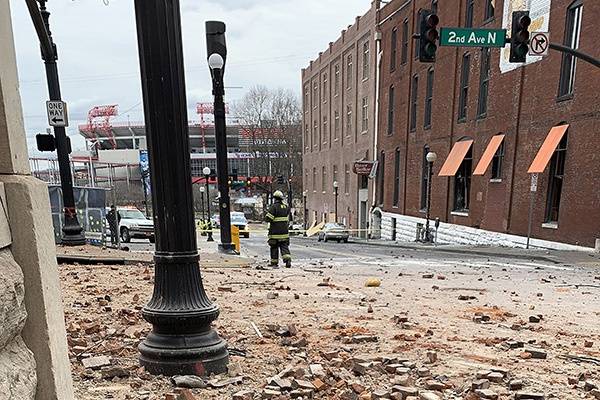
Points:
x=552 y=256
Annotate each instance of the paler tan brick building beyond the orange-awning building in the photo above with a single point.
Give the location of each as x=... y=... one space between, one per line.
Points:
x=339 y=124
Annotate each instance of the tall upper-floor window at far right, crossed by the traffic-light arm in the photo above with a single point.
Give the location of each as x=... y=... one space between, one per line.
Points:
x=569 y=63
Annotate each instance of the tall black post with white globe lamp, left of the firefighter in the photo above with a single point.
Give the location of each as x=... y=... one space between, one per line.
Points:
x=217 y=52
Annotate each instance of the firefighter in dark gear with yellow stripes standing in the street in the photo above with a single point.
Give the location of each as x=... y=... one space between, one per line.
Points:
x=279 y=237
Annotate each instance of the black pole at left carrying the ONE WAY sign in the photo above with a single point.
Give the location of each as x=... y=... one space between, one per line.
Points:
x=72 y=232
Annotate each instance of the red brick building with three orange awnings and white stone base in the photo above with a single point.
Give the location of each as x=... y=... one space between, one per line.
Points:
x=465 y=97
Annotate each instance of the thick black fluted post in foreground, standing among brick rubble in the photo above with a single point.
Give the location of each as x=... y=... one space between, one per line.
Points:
x=182 y=341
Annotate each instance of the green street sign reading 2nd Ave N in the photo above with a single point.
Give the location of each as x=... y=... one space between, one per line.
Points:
x=471 y=37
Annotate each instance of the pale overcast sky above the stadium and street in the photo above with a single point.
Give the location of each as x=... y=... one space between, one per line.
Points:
x=269 y=41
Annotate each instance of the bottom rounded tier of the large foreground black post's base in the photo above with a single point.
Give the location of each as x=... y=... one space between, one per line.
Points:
x=199 y=354
